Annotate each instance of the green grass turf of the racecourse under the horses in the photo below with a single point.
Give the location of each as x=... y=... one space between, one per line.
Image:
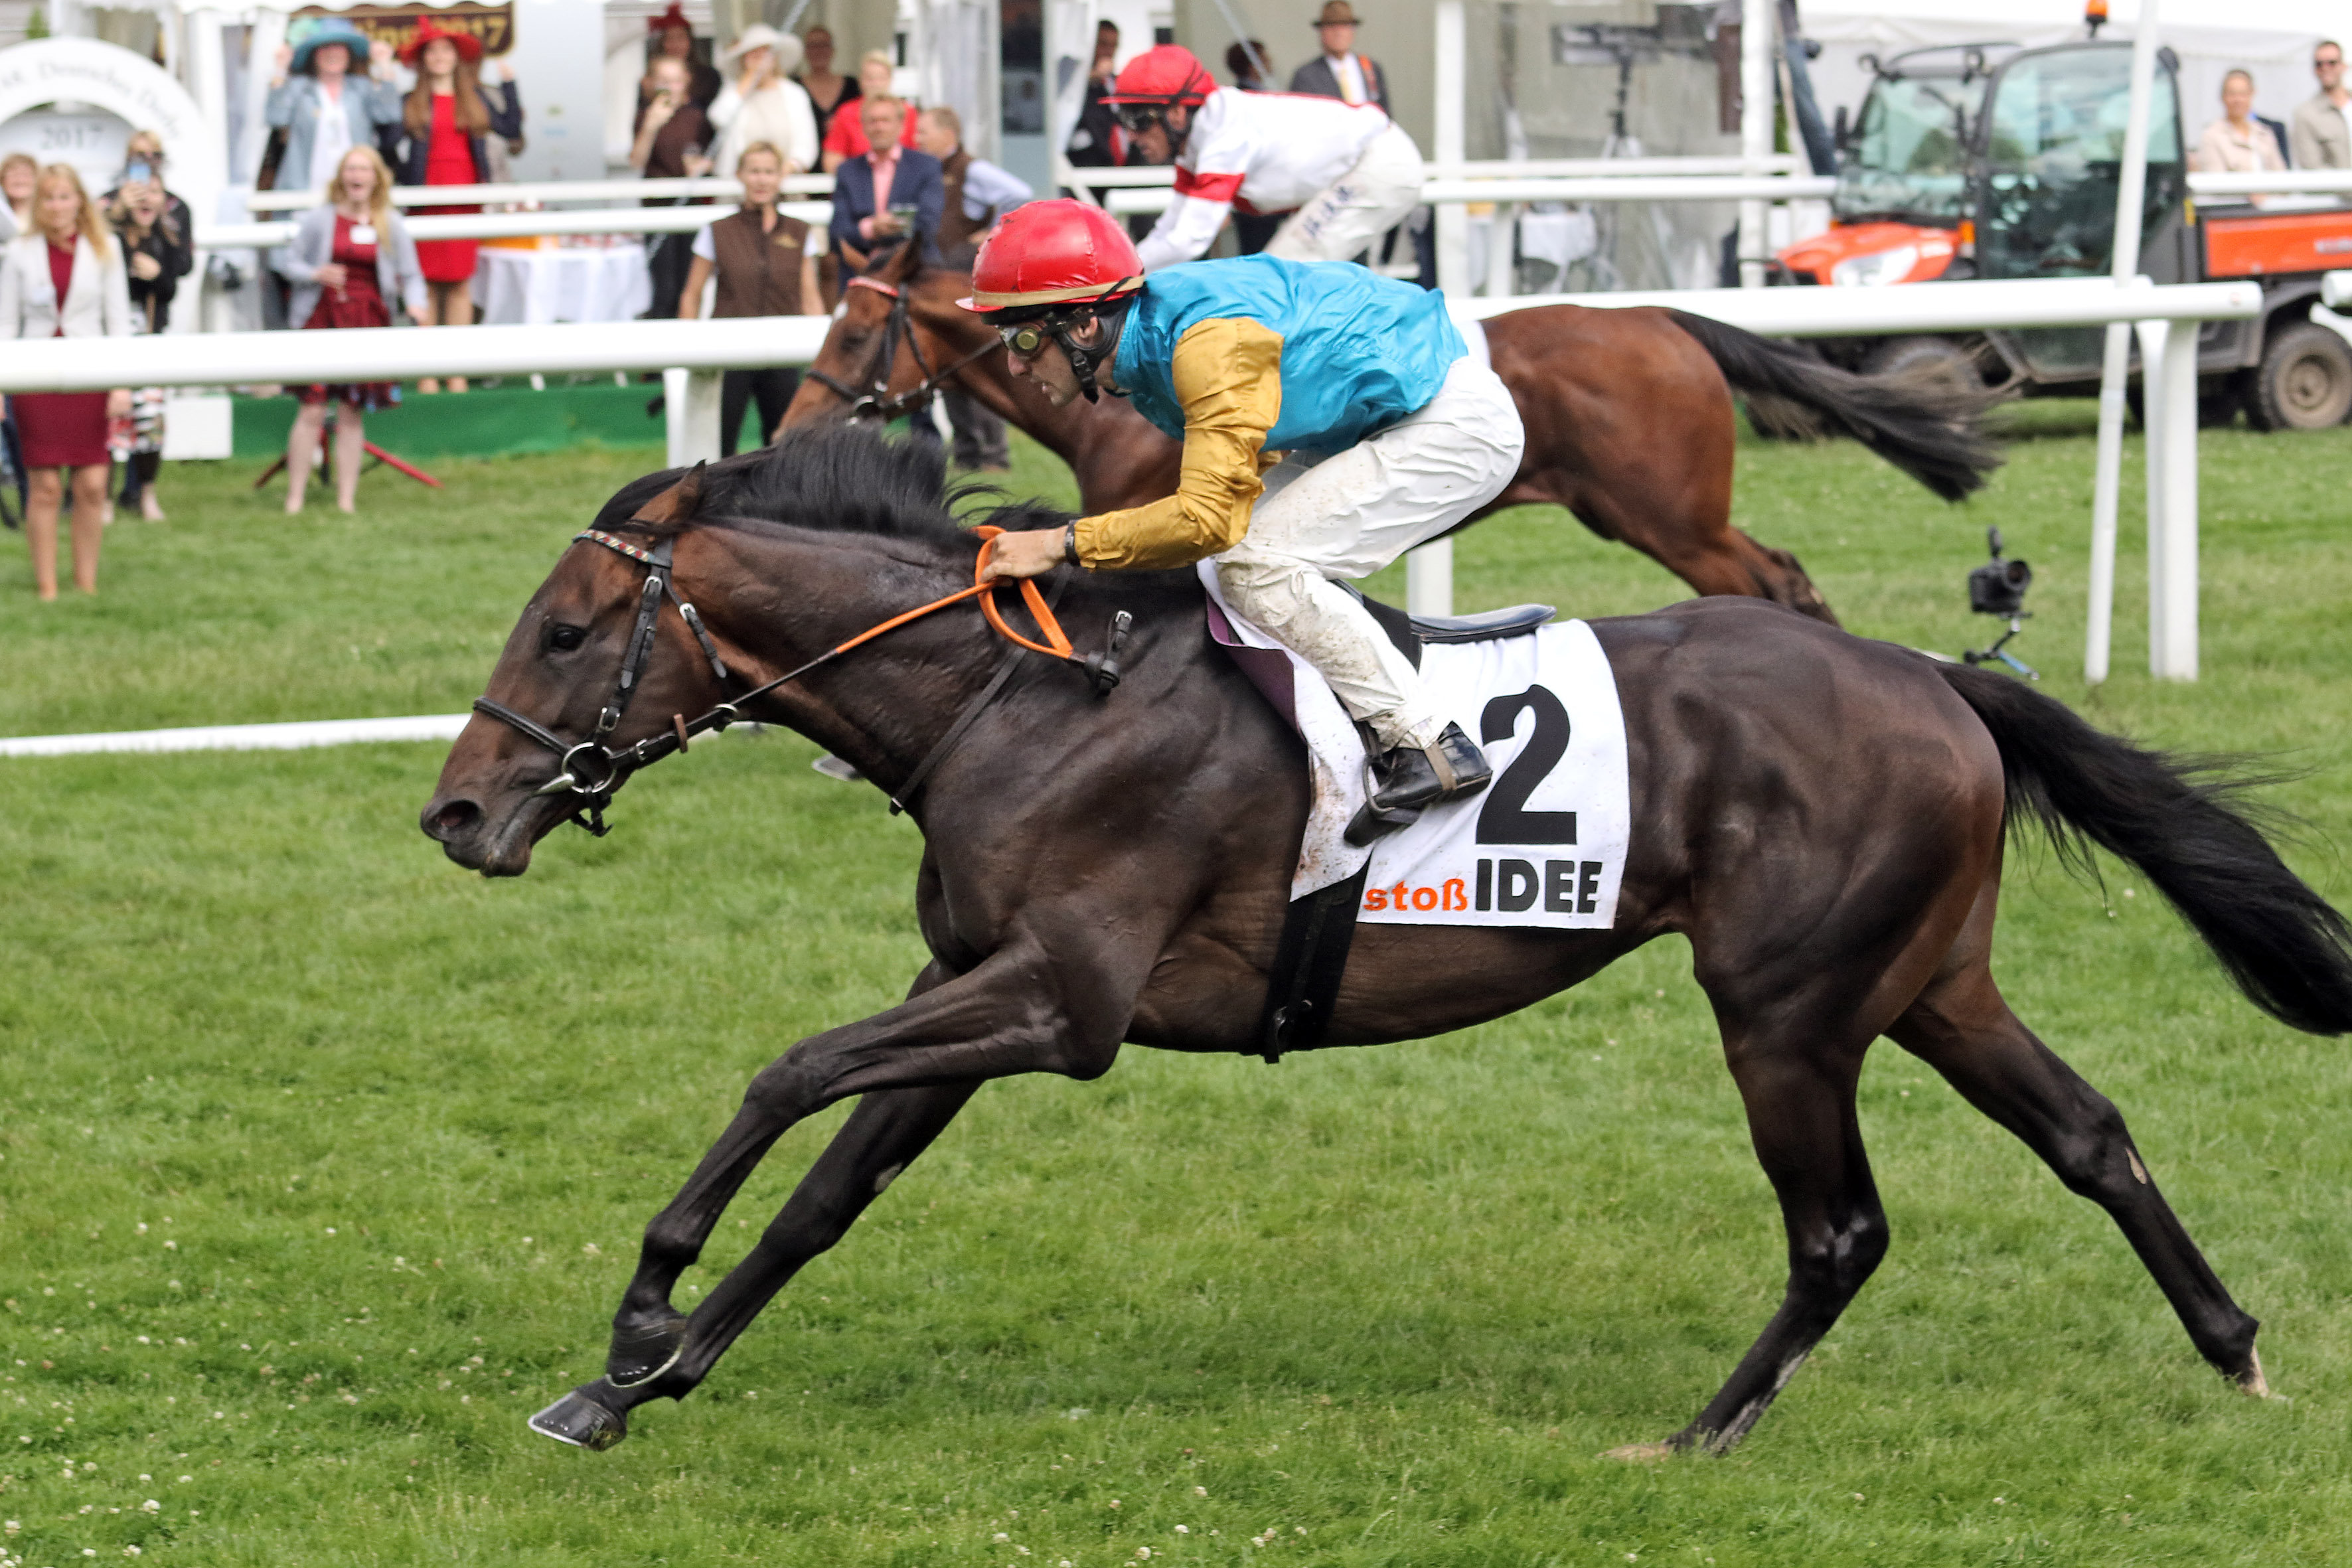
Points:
x=323 y=1162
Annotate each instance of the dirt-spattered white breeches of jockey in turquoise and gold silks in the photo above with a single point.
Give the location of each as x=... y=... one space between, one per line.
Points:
x=1356 y=511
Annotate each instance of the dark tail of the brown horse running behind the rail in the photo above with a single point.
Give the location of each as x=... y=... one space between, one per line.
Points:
x=1920 y=422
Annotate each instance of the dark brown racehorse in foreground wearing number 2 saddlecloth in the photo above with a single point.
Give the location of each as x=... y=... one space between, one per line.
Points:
x=1822 y=817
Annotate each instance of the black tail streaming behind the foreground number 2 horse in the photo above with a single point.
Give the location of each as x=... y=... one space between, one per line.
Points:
x=2174 y=819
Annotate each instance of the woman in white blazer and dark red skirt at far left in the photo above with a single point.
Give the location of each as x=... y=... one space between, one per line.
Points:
x=65 y=281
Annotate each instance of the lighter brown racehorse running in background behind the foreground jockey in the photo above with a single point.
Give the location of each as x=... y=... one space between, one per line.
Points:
x=1629 y=417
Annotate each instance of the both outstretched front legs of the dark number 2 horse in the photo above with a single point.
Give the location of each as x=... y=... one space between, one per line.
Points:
x=916 y=1064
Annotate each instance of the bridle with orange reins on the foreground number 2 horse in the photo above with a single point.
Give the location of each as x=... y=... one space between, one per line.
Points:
x=594 y=772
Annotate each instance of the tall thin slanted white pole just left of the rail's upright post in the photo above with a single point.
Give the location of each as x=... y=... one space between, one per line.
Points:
x=2109 y=485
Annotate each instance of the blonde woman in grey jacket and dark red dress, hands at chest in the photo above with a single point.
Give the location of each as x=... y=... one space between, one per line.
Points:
x=349 y=264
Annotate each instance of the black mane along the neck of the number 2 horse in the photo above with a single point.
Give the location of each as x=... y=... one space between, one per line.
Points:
x=829 y=478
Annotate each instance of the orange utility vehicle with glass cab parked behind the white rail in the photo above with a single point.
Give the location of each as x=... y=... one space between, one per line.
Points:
x=1991 y=161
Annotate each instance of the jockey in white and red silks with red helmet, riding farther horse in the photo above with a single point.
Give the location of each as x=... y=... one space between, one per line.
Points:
x=1347 y=168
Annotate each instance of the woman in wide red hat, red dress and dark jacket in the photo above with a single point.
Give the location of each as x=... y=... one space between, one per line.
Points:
x=446 y=121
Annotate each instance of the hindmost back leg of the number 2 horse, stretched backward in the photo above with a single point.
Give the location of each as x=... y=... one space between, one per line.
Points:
x=1963 y=1028
